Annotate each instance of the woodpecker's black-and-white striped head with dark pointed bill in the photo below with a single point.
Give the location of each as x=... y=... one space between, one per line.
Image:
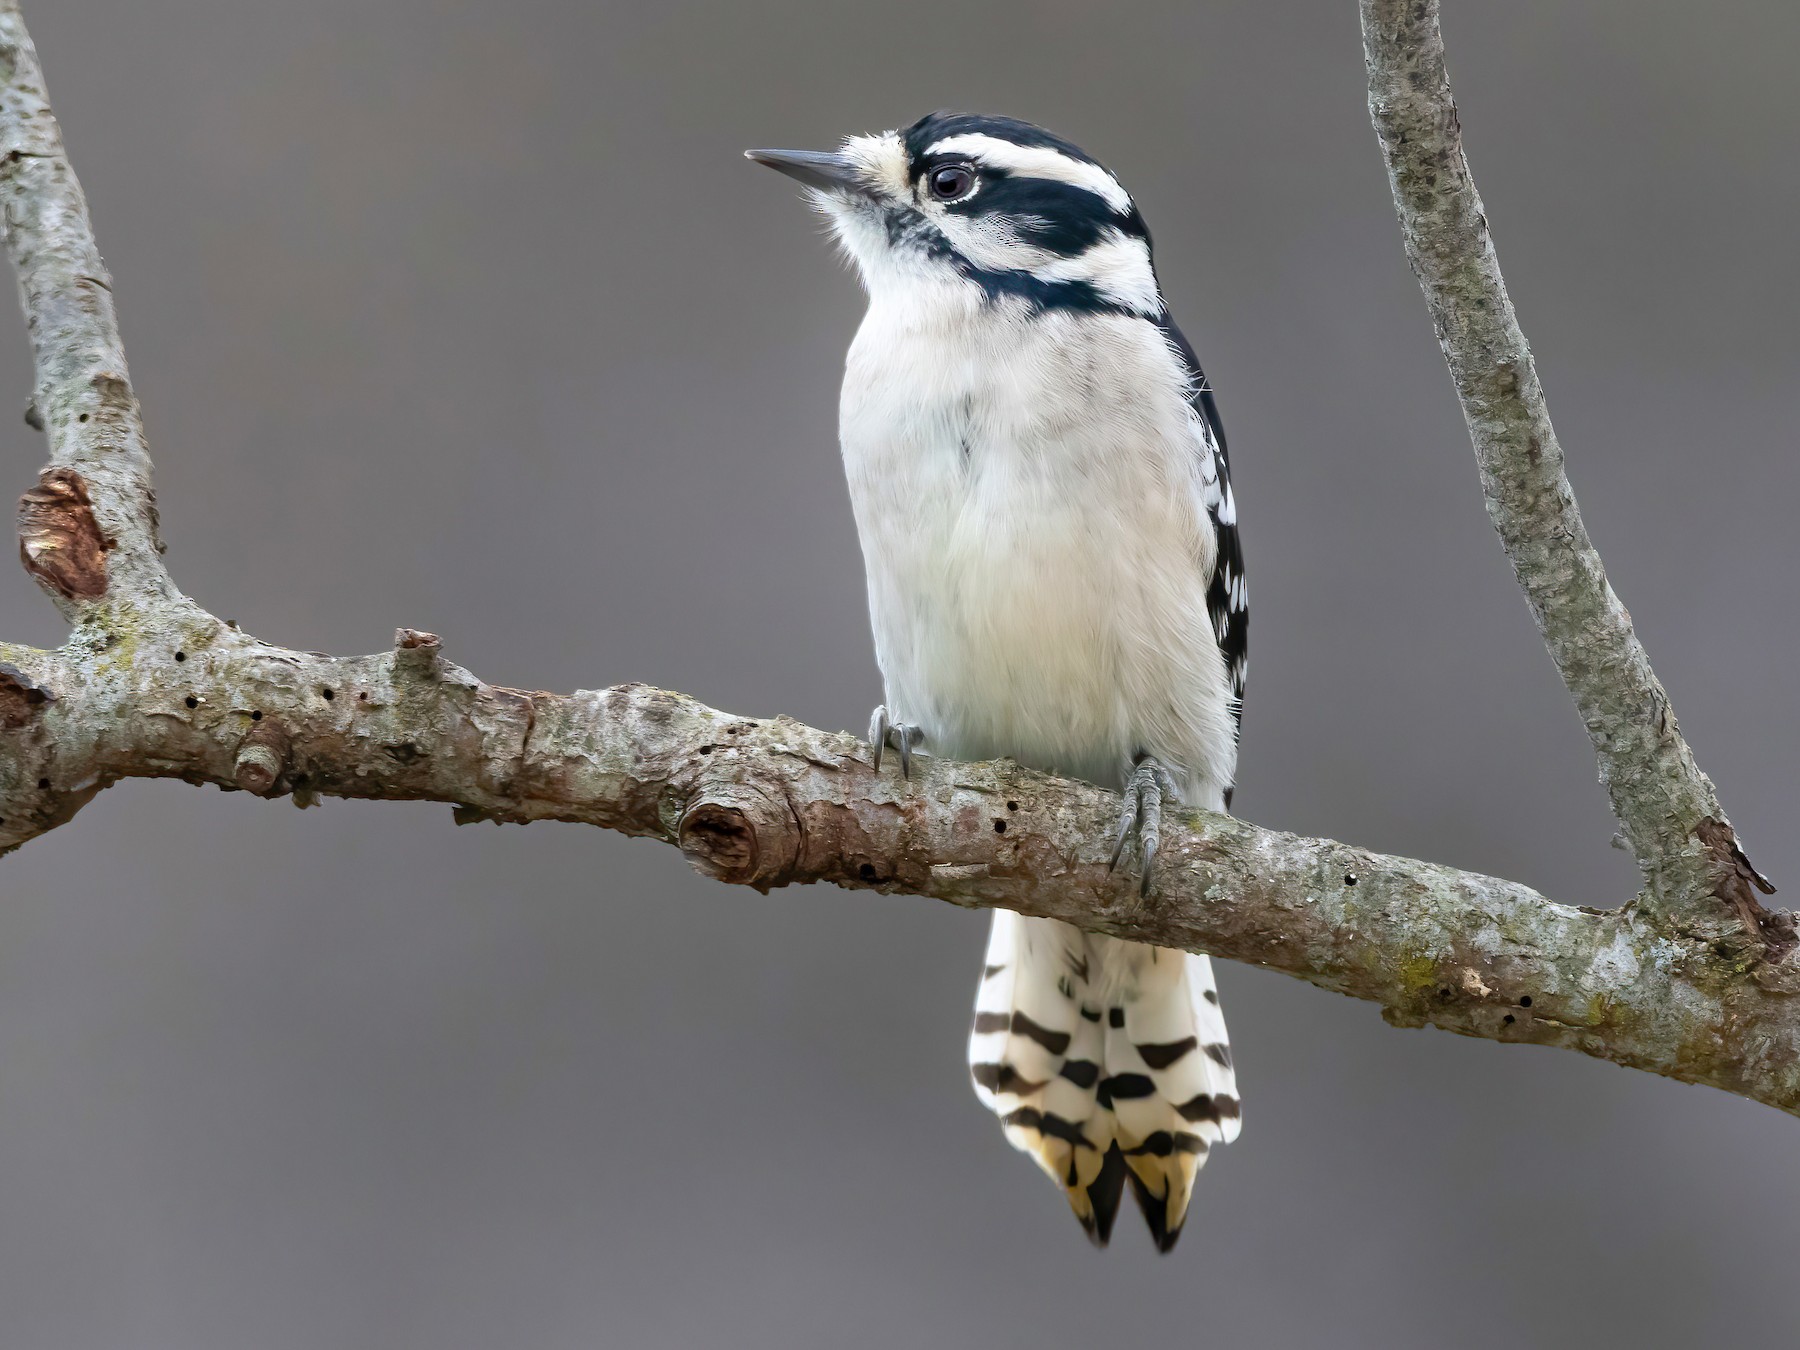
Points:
x=987 y=202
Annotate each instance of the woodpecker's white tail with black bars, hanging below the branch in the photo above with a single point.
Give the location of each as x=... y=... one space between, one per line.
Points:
x=1108 y=1063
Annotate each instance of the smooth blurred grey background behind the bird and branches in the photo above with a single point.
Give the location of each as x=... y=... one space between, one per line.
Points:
x=471 y=318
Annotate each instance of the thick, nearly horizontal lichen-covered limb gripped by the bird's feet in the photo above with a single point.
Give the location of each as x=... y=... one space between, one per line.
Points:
x=773 y=804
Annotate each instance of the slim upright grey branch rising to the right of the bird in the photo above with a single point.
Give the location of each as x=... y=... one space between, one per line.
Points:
x=1668 y=807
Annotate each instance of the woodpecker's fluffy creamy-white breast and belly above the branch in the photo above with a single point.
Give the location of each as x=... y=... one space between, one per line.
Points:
x=1030 y=503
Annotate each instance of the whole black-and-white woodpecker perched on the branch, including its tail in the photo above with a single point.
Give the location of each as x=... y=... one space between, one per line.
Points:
x=1045 y=503
